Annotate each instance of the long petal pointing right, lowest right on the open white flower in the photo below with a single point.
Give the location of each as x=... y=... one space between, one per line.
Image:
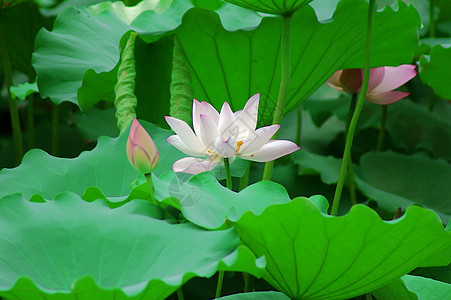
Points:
x=271 y=151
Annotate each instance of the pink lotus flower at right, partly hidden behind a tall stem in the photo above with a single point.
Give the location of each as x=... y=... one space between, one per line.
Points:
x=383 y=81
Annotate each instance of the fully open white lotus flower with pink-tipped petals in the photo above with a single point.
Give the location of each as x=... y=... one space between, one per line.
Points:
x=224 y=135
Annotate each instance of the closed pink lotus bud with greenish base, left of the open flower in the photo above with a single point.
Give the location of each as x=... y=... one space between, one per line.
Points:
x=141 y=150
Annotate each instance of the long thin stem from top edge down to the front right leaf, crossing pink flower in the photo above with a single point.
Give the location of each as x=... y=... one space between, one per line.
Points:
x=358 y=109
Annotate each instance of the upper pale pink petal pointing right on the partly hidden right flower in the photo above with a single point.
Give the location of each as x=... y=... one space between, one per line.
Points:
x=395 y=77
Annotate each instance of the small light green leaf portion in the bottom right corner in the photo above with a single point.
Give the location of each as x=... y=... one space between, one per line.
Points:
x=426 y=288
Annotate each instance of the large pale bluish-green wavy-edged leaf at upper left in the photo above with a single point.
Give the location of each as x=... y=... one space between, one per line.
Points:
x=81 y=42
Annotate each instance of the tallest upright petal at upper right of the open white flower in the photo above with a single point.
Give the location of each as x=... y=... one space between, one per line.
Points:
x=247 y=118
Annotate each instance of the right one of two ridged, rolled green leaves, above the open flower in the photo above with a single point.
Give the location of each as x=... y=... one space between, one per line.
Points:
x=181 y=89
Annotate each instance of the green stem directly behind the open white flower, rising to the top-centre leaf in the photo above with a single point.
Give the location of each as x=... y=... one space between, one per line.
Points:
x=285 y=76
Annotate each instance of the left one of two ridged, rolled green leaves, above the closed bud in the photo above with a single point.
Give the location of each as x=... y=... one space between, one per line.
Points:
x=126 y=101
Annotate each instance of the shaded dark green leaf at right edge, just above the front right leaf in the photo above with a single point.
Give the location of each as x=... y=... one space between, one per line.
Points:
x=419 y=179
